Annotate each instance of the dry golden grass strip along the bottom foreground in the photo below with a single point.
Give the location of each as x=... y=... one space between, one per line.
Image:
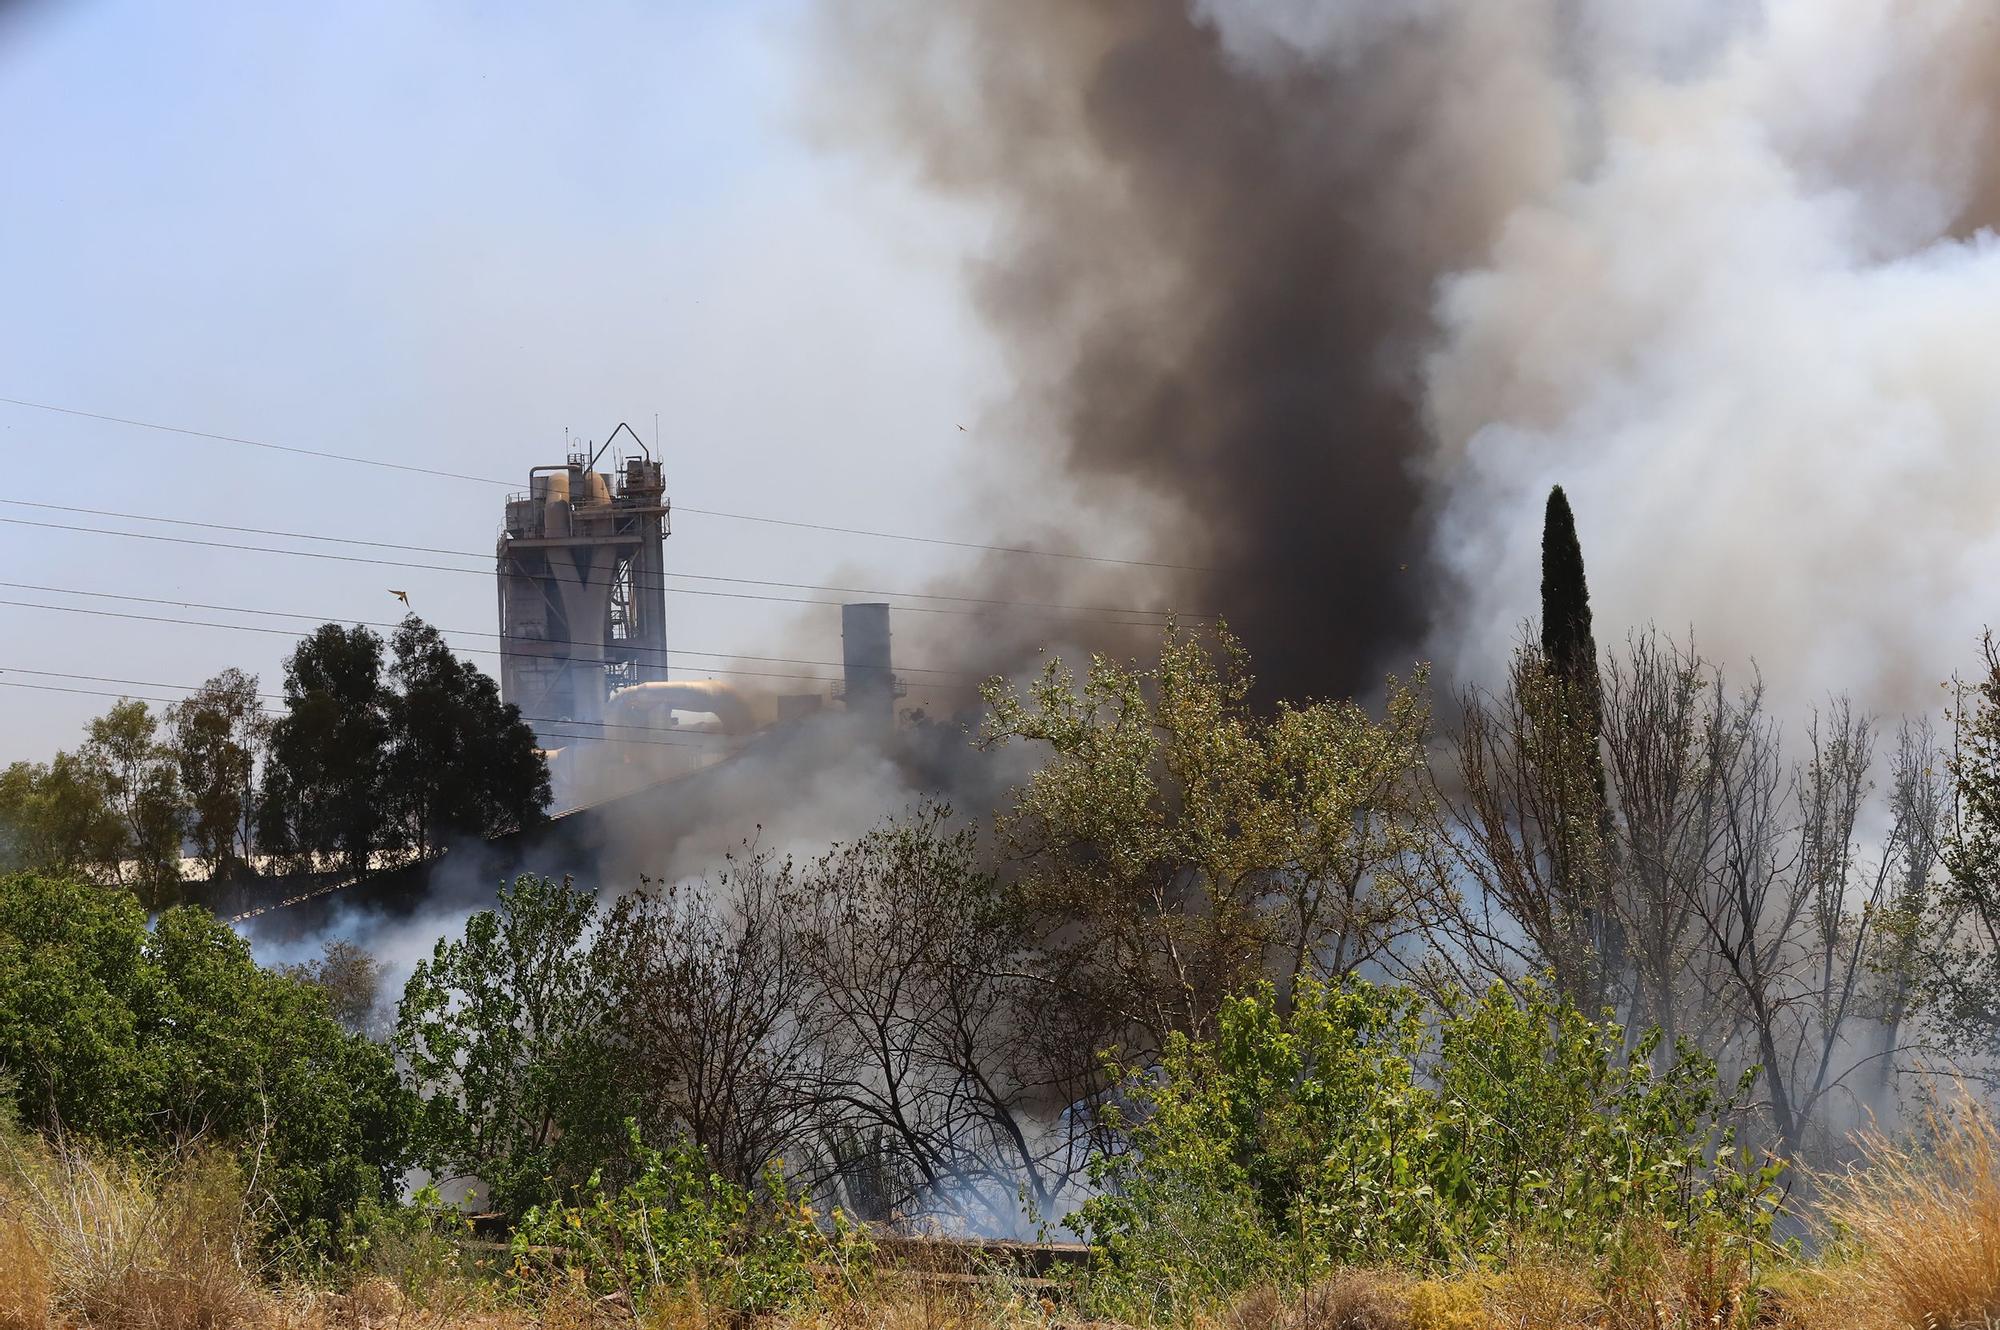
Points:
x=93 y=1241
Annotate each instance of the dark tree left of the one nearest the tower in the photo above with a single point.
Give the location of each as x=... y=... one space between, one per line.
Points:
x=323 y=781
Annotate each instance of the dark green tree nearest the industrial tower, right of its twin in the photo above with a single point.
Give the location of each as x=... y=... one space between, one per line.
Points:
x=461 y=761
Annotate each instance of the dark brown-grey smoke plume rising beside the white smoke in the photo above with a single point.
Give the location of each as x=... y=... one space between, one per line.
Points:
x=1213 y=273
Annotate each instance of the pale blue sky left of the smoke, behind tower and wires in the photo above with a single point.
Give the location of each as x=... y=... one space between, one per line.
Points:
x=443 y=235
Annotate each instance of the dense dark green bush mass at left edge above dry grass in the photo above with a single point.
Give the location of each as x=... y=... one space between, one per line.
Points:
x=161 y=1037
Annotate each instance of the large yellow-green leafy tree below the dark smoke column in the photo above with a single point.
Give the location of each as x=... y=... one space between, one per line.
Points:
x=1181 y=847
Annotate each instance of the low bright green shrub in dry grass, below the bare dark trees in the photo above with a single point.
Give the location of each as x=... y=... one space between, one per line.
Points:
x=681 y=1229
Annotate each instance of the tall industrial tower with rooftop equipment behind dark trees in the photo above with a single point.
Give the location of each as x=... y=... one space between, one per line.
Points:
x=583 y=601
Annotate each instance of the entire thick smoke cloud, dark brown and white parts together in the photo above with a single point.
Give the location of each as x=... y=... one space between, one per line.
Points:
x=1331 y=293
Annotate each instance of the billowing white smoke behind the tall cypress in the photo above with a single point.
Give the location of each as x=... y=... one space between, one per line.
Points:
x=1751 y=329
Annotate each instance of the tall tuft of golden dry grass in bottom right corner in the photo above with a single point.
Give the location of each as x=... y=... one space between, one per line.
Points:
x=1923 y=1227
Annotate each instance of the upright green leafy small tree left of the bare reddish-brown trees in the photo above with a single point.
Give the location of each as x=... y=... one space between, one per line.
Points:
x=505 y=1035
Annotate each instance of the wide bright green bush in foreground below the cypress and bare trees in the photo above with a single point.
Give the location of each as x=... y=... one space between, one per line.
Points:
x=1361 y=1129
